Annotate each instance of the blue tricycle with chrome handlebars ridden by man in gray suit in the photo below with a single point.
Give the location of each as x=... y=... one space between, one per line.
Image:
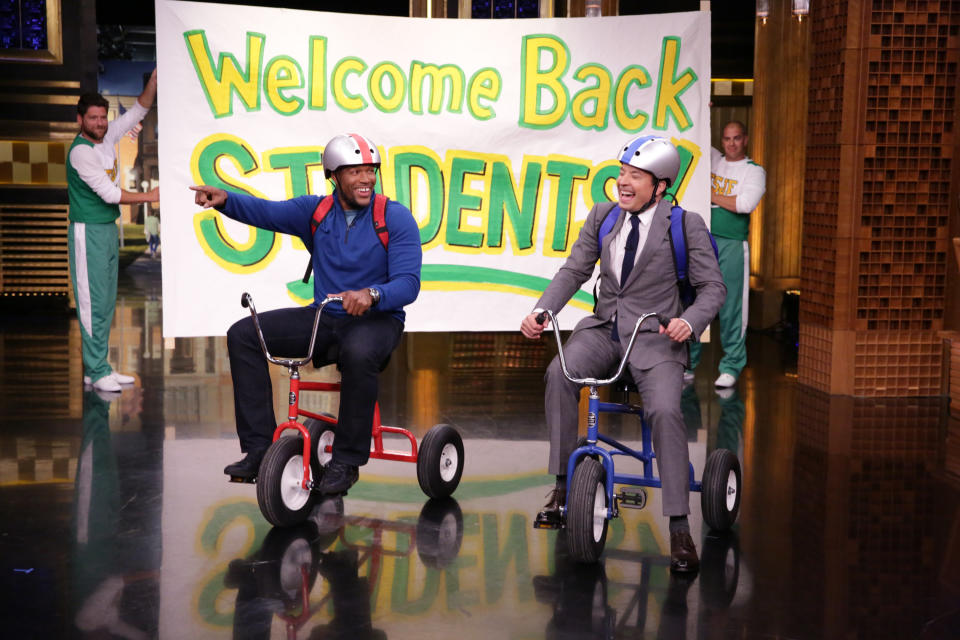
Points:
x=591 y=474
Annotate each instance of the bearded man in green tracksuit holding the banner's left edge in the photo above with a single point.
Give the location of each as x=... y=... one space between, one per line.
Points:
x=93 y=185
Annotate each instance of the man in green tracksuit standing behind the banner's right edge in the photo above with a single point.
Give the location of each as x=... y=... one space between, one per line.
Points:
x=737 y=184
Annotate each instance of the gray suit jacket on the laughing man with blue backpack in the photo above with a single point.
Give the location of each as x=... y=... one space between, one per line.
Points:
x=651 y=287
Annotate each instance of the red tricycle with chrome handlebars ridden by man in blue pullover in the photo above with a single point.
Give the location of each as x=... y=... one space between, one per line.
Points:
x=291 y=469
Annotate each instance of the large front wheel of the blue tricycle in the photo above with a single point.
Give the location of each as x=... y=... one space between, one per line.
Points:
x=586 y=534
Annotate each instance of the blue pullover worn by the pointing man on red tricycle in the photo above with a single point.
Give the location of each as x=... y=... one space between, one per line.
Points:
x=345 y=258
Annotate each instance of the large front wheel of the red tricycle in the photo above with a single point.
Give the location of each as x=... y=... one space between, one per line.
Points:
x=281 y=502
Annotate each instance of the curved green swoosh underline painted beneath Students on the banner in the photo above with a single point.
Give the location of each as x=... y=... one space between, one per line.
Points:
x=464 y=275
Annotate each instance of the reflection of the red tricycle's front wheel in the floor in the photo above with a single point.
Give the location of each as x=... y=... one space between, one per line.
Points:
x=284 y=551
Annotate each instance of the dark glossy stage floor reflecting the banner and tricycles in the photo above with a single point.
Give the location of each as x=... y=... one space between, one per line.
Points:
x=116 y=521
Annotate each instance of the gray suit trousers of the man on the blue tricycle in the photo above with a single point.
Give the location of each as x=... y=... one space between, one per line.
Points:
x=591 y=353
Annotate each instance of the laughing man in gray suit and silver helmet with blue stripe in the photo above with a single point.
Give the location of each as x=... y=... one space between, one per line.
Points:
x=637 y=275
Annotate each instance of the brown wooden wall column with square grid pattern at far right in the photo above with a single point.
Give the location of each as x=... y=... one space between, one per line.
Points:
x=880 y=180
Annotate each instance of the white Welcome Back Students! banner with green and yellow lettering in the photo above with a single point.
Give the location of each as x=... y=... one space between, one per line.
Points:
x=498 y=134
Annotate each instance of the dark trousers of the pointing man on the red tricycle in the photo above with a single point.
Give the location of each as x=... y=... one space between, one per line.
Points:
x=363 y=345
